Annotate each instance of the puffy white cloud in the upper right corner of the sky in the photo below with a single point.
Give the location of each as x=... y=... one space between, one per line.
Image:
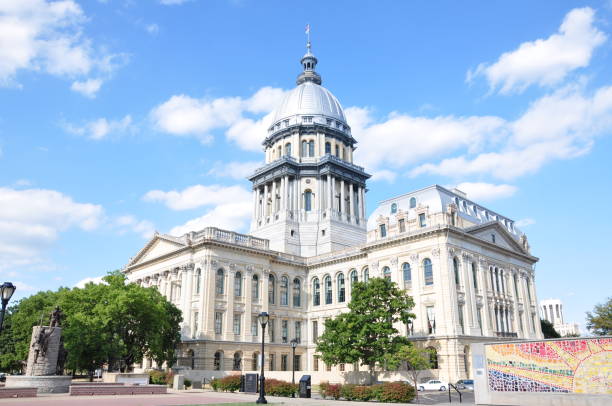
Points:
x=545 y=62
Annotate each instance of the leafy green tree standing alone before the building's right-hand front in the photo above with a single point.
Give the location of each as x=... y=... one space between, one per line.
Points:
x=367 y=332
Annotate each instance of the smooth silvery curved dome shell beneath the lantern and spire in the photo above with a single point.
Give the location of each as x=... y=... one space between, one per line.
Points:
x=309 y=99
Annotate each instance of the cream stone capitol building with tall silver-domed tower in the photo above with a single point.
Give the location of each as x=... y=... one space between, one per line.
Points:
x=468 y=268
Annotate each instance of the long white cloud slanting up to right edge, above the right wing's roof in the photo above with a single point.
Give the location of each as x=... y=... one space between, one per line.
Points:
x=561 y=125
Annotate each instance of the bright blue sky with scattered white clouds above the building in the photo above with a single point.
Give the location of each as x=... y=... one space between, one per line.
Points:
x=119 y=117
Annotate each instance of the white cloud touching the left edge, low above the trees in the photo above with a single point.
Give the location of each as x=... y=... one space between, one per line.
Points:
x=32 y=219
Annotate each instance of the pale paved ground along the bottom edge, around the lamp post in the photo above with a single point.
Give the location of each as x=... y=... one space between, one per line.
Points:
x=174 y=398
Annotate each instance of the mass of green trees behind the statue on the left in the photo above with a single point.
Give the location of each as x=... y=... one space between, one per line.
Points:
x=114 y=323
